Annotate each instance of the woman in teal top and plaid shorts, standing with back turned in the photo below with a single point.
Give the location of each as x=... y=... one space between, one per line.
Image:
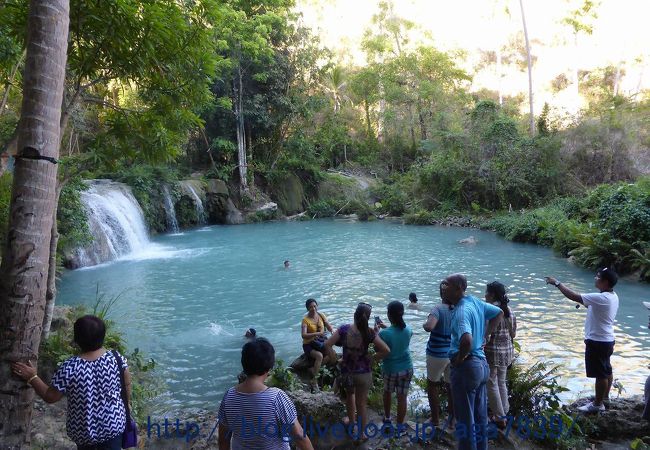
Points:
x=397 y=367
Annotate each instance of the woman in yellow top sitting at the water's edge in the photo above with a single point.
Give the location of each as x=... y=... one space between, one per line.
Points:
x=313 y=328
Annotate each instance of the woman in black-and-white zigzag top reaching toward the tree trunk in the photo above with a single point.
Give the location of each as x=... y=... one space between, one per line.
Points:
x=96 y=415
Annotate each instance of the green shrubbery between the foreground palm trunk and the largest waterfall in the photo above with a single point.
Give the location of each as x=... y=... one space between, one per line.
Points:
x=72 y=218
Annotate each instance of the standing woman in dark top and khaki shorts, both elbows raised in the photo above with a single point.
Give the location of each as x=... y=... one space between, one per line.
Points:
x=356 y=365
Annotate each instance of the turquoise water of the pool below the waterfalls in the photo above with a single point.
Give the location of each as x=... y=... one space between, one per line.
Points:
x=187 y=299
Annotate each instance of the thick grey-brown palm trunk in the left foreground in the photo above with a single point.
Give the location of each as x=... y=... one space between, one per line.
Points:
x=24 y=266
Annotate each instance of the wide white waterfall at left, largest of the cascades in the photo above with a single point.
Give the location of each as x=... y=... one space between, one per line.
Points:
x=116 y=223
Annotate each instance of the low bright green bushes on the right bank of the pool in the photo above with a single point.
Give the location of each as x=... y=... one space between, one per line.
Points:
x=607 y=227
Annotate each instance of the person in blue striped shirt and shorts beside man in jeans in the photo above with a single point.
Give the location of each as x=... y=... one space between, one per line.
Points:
x=439 y=325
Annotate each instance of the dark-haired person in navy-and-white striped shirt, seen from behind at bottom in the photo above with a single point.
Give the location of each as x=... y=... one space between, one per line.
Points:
x=254 y=416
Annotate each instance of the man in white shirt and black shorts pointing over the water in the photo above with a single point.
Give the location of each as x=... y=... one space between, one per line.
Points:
x=599 y=332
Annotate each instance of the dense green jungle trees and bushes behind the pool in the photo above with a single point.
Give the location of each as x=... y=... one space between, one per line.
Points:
x=240 y=91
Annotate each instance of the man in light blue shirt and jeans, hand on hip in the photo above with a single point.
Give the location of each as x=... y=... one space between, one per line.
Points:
x=469 y=368
